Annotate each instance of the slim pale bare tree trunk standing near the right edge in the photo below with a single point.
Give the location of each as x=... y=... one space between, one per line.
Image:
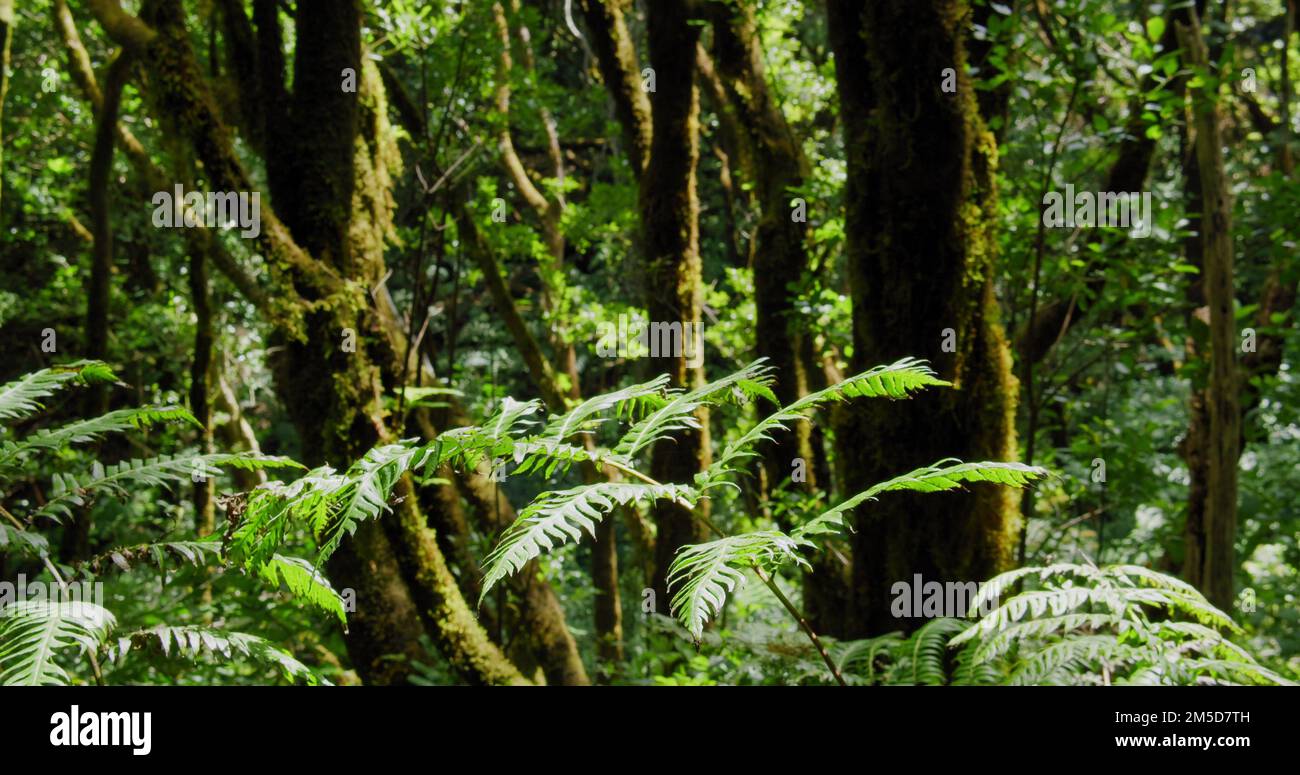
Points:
x=1211 y=560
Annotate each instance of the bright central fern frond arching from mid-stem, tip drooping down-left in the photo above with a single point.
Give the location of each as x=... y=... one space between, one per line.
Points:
x=558 y=518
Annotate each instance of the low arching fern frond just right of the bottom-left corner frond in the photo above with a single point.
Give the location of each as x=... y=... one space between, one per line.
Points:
x=194 y=643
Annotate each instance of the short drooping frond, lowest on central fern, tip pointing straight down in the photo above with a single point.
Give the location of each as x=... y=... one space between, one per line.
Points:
x=704 y=574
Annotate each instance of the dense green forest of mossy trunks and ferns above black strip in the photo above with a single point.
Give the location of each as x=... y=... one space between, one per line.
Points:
x=674 y=343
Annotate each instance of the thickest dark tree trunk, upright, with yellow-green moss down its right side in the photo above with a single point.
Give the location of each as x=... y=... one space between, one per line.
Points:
x=920 y=217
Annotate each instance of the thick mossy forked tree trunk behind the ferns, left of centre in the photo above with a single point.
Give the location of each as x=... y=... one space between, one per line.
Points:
x=402 y=583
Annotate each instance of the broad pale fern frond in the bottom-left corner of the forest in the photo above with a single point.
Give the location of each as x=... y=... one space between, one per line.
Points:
x=33 y=633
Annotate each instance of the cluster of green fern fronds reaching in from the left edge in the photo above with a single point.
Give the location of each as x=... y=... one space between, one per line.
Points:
x=36 y=634
